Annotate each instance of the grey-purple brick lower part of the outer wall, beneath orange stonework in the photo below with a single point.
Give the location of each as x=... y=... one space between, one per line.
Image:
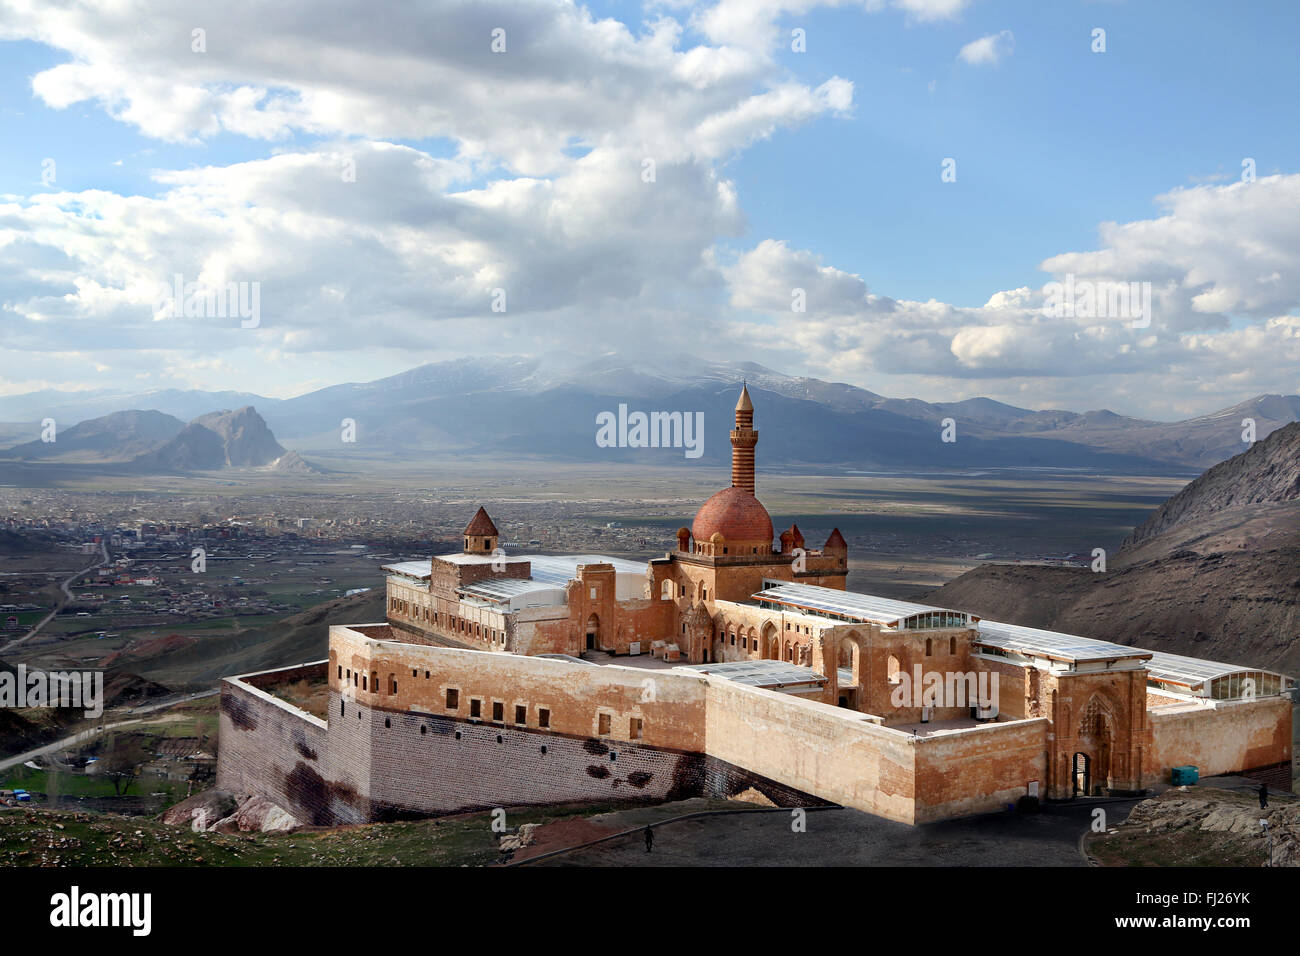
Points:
x=382 y=765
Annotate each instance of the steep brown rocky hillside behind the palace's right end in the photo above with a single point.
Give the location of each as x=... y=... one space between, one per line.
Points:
x=1216 y=576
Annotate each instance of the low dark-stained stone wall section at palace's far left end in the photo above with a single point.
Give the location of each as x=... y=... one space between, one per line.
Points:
x=268 y=747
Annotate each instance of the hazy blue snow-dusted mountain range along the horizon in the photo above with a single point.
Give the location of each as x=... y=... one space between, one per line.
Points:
x=545 y=408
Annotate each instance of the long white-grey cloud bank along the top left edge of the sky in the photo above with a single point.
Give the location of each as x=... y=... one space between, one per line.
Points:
x=419 y=72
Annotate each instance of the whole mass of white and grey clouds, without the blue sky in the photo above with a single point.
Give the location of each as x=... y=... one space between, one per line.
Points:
x=586 y=179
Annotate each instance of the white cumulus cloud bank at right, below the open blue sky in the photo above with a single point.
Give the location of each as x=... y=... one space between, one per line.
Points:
x=1223 y=313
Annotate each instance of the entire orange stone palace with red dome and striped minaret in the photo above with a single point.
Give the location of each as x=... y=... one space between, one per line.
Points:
x=736 y=661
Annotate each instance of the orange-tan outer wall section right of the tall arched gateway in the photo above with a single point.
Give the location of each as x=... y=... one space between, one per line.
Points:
x=1220 y=737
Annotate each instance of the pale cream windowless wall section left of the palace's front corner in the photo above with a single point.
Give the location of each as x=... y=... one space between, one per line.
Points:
x=829 y=752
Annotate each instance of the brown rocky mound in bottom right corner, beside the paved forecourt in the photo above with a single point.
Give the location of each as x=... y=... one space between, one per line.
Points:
x=1203 y=827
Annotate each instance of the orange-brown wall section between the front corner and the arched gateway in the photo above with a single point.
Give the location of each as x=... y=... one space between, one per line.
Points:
x=980 y=769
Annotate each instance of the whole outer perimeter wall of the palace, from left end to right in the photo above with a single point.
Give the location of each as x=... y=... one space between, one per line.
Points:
x=418 y=730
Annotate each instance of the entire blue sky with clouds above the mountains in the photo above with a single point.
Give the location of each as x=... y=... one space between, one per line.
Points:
x=926 y=198
